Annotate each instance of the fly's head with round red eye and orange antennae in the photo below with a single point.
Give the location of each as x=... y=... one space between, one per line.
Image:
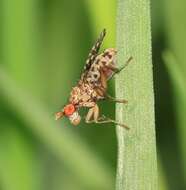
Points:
x=71 y=112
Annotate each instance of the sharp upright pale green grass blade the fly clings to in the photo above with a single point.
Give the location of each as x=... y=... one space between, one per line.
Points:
x=137 y=162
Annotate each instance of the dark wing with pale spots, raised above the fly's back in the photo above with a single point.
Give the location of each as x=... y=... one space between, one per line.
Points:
x=93 y=54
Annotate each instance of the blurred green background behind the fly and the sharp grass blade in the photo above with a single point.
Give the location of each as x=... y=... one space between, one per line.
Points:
x=43 y=47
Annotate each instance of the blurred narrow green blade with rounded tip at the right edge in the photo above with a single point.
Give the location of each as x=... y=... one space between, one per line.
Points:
x=179 y=91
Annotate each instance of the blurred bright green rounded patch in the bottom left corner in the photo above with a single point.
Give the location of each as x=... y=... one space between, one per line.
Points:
x=18 y=169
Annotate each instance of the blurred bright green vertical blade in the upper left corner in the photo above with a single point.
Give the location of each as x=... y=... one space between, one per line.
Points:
x=20 y=41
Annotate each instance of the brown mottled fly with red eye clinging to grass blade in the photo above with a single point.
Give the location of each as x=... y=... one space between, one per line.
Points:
x=92 y=86
